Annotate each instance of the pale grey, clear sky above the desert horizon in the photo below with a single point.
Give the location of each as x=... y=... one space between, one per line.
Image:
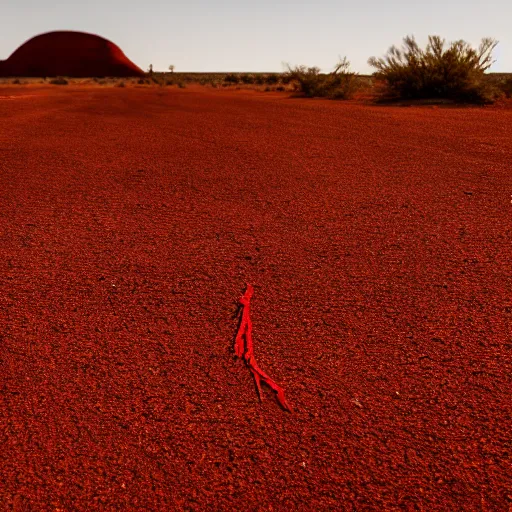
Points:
x=259 y=35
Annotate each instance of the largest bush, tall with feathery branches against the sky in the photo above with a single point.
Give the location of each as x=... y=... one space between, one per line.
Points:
x=455 y=72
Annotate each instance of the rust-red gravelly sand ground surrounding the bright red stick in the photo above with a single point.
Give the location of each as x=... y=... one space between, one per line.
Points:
x=378 y=242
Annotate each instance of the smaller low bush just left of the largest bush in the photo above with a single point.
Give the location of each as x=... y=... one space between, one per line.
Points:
x=340 y=84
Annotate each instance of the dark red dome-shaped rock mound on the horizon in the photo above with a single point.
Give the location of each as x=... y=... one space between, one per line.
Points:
x=67 y=53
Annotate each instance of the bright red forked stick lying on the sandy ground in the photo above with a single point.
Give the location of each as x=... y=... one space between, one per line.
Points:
x=244 y=350
